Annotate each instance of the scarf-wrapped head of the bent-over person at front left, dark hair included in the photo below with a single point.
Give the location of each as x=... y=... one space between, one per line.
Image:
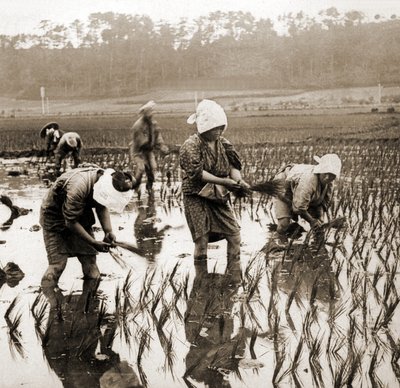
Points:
x=113 y=189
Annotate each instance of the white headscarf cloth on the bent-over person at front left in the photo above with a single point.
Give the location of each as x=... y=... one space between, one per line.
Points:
x=105 y=194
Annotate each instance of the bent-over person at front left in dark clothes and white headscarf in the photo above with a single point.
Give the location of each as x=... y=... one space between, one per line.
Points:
x=67 y=218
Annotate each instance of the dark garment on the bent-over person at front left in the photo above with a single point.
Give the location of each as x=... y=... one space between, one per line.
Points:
x=69 y=200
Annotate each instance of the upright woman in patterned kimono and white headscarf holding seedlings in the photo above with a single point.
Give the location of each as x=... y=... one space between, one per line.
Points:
x=210 y=165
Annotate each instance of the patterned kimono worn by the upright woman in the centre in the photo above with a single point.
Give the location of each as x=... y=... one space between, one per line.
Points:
x=204 y=216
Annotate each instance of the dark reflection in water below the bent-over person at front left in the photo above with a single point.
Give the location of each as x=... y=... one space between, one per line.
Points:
x=78 y=341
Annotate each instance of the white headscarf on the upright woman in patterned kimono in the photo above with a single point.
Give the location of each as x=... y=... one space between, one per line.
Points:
x=208 y=115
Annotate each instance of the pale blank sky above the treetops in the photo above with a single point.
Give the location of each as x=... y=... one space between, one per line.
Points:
x=23 y=16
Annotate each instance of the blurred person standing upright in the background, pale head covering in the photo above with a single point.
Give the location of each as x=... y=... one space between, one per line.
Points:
x=146 y=139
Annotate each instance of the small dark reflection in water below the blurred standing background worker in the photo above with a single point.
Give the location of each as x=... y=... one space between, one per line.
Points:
x=149 y=237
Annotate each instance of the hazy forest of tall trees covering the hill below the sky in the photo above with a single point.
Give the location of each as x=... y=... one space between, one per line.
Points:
x=117 y=55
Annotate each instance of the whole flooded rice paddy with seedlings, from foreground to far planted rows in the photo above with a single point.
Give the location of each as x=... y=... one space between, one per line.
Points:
x=322 y=316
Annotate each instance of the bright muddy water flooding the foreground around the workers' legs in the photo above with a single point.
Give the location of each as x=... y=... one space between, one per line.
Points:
x=205 y=330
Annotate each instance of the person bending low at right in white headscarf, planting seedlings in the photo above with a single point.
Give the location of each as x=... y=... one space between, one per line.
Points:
x=307 y=193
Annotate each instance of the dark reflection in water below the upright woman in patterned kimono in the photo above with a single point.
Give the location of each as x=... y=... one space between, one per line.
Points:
x=209 y=329
